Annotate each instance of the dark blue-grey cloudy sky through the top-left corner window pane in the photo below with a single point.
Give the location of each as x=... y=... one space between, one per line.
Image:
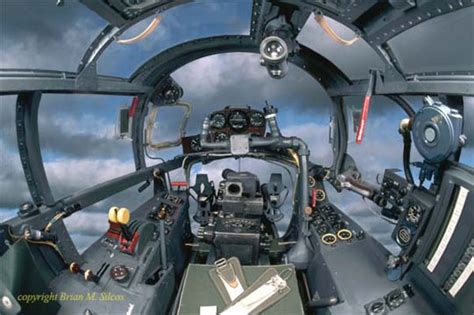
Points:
x=37 y=34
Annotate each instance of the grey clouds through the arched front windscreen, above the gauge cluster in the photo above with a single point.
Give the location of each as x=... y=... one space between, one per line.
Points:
x=237 y=79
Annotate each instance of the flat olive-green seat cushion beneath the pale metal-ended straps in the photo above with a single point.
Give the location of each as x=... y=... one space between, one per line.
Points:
x=199 y=290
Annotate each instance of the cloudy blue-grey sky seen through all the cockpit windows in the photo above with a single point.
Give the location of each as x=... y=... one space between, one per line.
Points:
x=77 y=131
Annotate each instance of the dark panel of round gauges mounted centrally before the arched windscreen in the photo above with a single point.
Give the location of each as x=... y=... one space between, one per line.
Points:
x=230 y=121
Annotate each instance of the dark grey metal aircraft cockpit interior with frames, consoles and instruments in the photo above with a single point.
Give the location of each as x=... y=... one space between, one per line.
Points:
x=246 y=218
